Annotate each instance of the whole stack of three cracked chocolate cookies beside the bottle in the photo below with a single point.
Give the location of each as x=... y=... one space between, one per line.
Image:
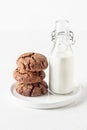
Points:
x=30 y=75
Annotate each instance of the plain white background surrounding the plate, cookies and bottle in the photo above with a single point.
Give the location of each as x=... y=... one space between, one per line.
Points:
x=26 y=25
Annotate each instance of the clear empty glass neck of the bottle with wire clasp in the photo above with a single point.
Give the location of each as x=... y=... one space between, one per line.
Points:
x=62 y=37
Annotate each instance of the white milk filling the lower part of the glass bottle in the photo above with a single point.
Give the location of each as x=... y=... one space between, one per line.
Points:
x=61 y=73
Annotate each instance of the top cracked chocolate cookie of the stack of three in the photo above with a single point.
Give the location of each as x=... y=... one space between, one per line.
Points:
x=31 y=62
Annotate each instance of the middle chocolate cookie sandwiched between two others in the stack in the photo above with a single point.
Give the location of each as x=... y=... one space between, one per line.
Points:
x=29 y=77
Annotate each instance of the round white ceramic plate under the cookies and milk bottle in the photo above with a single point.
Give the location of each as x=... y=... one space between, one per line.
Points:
x=48 y=101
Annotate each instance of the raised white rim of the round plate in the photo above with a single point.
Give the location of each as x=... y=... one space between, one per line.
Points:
x=45 y=105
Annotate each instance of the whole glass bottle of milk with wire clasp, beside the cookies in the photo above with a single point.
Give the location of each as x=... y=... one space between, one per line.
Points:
x=61 y=61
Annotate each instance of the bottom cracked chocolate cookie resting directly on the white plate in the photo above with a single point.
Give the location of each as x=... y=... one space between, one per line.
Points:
x=33 y=90
